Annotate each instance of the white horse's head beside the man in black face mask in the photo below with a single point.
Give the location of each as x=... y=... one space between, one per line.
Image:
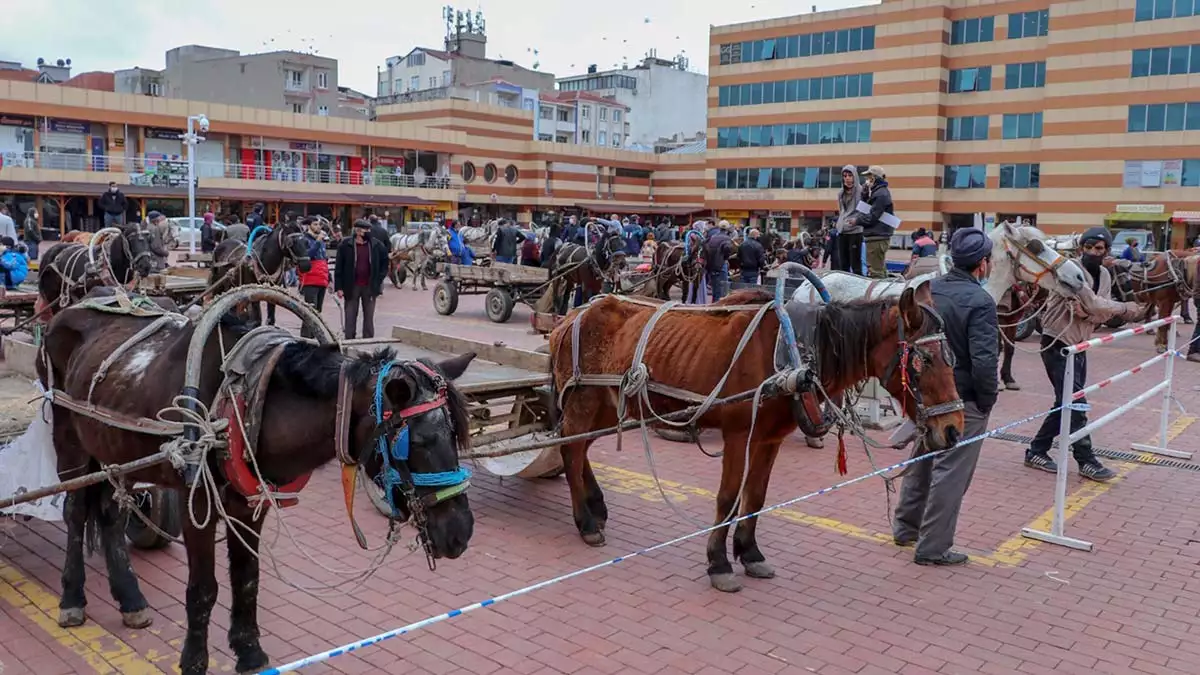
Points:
x=1023 y=254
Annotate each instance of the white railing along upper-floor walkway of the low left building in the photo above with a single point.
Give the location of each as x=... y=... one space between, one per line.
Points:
x=173 y=172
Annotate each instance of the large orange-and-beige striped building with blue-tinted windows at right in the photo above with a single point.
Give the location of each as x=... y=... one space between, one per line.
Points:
x=1069 y=114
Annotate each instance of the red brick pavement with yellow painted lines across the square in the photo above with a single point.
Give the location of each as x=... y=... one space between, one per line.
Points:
x=845 y=601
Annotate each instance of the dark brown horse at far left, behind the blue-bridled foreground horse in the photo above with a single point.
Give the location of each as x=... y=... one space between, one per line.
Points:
x=69 y=271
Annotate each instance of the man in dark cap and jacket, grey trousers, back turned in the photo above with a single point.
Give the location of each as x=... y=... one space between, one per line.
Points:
x=932 y=497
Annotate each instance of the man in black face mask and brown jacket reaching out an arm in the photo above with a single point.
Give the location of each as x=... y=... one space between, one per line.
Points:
x=1070 y=321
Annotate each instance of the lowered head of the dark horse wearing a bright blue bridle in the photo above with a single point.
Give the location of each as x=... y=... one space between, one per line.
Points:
x=407 y=426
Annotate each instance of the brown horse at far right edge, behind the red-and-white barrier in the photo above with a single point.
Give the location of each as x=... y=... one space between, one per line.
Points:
x=1163 y=282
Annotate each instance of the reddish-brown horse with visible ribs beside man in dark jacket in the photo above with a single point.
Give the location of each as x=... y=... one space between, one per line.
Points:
x=691 y=351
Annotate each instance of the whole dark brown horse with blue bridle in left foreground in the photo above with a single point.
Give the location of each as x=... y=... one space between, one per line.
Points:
x=299 y=426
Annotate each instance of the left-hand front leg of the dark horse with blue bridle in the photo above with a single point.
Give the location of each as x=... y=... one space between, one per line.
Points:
x=202 y=592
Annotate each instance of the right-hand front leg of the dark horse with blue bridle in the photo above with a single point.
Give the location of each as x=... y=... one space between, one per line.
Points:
x=244 y=575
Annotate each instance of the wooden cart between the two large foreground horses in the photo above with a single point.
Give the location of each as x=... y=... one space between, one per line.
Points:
x=511 y=399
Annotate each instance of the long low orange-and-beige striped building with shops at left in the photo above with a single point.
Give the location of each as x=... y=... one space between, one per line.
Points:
x=62 y=146
